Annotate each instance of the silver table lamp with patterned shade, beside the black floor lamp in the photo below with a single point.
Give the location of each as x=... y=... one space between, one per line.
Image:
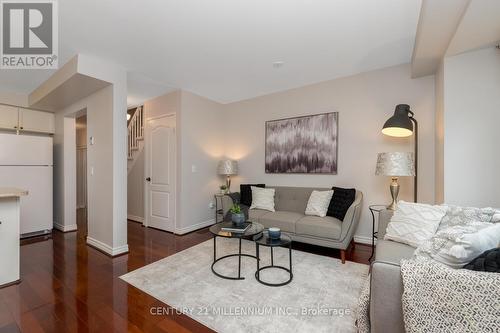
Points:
x=397 y=164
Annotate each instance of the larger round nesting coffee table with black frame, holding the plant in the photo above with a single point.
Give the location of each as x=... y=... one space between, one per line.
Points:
x=254 y=230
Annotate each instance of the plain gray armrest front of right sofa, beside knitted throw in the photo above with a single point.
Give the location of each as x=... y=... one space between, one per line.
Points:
x=386 y=289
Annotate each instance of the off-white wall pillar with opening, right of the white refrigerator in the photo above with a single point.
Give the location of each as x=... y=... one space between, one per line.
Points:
x=107 y=168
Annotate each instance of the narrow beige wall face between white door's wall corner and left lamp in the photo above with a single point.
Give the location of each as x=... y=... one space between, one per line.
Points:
x=202 y=139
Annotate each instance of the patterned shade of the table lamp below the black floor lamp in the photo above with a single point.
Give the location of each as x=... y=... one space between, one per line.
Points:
x=397 y=164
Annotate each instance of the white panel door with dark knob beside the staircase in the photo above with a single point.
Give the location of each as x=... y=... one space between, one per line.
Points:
x=161 y=173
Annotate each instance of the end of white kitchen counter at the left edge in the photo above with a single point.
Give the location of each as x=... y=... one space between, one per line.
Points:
x=10 y=209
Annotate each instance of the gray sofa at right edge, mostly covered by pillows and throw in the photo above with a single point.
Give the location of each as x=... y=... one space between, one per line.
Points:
x=386 y=311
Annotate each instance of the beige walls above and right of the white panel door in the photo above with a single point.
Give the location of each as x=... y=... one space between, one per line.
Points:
x=200 y=146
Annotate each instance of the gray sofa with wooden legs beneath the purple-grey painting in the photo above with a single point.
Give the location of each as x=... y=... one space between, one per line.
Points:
x=290 y=204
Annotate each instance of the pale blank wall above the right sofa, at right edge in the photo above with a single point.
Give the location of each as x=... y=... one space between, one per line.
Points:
x=471 y=128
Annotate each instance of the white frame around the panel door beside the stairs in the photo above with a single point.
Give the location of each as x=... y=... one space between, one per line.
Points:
x=147 y=151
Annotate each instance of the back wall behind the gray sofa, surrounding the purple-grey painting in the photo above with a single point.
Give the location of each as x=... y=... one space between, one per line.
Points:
x=364 y=102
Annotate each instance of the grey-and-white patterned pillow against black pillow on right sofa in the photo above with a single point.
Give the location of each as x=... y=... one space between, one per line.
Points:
x=458 y=245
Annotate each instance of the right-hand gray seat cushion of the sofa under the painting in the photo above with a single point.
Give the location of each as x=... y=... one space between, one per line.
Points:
x=324 y=227
